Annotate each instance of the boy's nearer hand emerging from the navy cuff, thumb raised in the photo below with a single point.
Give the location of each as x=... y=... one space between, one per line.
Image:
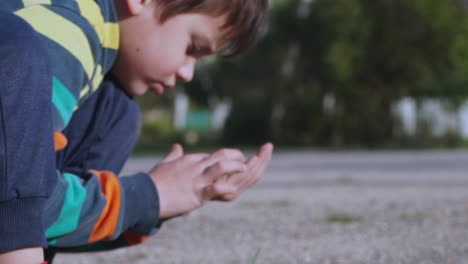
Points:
x=186 y=182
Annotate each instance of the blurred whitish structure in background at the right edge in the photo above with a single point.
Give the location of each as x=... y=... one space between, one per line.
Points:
x=436 y=114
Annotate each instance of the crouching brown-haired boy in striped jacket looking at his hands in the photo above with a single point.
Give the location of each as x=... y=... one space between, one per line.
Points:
x=61 y=50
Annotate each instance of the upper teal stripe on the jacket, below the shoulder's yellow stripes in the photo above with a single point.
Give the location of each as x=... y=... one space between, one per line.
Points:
x=63 y=100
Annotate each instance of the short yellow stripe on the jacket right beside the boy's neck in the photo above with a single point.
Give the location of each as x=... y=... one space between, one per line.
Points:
x=108 y=33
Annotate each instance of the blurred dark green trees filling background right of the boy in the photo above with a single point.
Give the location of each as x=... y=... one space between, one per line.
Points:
x=327 y=72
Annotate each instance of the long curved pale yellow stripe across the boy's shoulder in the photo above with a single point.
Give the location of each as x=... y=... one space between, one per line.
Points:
x=62 y=31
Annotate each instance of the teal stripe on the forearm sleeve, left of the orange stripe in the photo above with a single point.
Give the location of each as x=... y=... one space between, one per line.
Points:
x=69 y=216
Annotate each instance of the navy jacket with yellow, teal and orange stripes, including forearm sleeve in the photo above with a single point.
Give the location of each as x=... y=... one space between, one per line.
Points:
x=82 y=38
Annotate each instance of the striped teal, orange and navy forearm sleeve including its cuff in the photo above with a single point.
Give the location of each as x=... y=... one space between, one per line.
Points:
x=101 y=208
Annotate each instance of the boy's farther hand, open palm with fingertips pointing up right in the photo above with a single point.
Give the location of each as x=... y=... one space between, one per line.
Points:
x=231 y=186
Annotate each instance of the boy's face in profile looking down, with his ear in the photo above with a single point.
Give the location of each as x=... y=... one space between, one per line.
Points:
x=153 y=56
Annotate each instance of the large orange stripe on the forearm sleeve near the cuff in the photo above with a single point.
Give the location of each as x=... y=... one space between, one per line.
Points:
x=107 y=222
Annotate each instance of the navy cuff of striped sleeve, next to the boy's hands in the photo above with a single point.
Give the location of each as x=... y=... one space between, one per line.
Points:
x=141 y=204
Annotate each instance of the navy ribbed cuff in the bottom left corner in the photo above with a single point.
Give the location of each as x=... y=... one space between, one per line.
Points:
x=21 y=224
